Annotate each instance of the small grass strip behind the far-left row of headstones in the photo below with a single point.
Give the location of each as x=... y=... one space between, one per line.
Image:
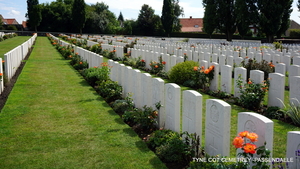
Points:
x=9 y=44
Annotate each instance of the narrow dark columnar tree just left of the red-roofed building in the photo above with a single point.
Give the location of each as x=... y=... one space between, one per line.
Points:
x=167 y=17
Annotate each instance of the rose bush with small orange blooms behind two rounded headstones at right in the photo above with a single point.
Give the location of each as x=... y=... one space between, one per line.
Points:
x=263 y=66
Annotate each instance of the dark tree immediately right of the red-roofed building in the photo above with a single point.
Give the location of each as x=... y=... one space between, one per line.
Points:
x=210 y=16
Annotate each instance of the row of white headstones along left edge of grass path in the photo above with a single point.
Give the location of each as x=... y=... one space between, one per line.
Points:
x=13 y=59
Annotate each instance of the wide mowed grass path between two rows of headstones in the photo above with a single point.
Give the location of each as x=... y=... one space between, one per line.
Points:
x=54 y=119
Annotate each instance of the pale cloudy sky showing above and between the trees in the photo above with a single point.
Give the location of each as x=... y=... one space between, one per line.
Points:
x=129 y=8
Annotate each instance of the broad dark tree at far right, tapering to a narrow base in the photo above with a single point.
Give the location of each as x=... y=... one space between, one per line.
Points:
x=270 y=18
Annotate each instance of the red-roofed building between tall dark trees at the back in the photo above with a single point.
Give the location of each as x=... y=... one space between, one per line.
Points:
x=191 y=24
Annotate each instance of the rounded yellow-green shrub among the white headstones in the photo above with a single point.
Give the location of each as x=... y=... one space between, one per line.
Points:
x=182 y=71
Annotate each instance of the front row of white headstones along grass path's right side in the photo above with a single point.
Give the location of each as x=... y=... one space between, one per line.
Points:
x=148 y=91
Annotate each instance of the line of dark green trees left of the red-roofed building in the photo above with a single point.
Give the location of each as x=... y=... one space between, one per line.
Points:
x=77 y=16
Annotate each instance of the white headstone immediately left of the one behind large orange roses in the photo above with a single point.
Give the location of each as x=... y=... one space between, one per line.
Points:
x=217 y=127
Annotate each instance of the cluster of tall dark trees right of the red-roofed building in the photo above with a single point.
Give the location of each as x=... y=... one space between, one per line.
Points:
x=270 y=17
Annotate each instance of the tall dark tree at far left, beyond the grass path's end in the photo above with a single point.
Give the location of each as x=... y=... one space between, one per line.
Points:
x=33 y=15
